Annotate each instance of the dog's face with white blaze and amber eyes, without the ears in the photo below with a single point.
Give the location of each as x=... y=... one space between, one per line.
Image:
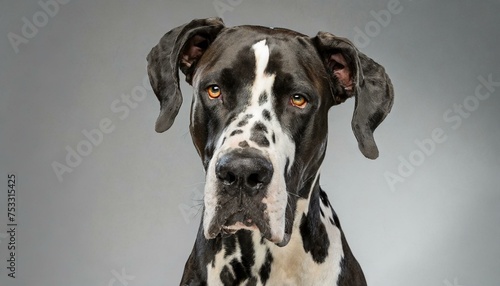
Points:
x=258 y=122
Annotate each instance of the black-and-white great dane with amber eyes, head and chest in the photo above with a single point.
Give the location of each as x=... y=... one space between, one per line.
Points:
x=259 y=123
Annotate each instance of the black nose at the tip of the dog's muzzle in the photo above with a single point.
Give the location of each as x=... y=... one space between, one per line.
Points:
x=244 y=170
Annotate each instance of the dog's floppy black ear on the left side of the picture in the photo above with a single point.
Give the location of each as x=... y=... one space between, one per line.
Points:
x=180 y=48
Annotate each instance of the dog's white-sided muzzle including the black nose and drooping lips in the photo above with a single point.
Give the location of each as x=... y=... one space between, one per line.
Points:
x=241 y=195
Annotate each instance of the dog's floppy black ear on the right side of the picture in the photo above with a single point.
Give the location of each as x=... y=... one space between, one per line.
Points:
x=354 y=74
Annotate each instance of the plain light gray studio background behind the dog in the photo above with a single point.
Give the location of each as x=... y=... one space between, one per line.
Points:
x=132 y=205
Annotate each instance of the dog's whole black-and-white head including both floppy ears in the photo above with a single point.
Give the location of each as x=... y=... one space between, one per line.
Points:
x=259 y=114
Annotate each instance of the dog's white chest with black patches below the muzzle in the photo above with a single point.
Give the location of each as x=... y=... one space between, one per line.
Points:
x=247 y=259
